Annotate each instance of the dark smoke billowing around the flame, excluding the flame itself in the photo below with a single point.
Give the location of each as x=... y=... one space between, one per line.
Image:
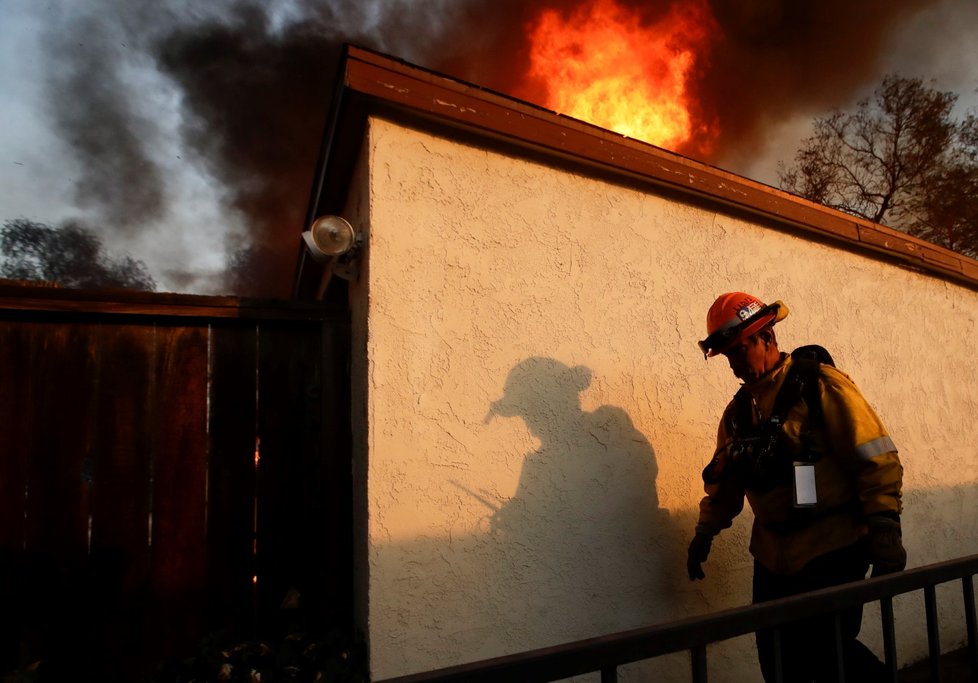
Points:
x=254 y=83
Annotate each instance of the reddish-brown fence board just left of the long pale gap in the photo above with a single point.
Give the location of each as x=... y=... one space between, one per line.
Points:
x=174 y=622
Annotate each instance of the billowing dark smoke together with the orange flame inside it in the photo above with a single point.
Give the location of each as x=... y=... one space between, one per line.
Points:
x=252 y=85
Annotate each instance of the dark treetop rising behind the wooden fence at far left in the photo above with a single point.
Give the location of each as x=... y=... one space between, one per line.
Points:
x=70 y=256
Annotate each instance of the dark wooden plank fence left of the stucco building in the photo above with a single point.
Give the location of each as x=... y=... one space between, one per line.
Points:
x=170 y=467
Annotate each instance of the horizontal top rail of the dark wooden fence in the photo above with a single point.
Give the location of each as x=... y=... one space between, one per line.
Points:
x=21 y=299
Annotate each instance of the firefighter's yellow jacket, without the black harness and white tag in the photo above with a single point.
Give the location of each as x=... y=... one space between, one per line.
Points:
x=857 y=473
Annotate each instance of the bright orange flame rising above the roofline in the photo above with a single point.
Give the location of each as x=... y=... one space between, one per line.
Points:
x=603 y=65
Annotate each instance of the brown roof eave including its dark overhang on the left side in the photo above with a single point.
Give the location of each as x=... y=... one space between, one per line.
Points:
x=374 y=83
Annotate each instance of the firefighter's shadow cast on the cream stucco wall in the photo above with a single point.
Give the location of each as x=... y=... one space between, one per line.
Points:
x=585 y=540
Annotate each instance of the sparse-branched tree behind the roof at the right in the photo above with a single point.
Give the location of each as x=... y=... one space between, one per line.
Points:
x=900 y=159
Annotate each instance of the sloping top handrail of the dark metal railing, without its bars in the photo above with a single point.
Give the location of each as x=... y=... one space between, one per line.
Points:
x=594 y=654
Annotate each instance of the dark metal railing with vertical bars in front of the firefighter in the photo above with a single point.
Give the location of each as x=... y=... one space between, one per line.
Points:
x=605 y=654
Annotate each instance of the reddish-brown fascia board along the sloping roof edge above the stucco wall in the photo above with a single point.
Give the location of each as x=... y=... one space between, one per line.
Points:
x=385 y=82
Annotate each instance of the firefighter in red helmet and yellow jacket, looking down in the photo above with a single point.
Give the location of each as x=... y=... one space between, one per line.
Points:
x=820 y=473
